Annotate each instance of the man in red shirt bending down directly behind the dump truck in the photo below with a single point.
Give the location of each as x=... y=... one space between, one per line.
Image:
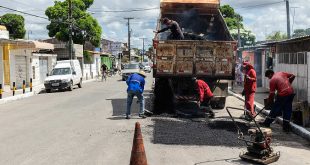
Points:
x=204 y=96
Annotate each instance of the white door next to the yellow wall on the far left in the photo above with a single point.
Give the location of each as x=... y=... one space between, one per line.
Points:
x=20 y=70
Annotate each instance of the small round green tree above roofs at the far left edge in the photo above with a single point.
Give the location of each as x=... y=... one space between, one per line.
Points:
x=15 y=24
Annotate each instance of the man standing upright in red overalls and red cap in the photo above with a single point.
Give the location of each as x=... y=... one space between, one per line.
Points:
x=249 y=87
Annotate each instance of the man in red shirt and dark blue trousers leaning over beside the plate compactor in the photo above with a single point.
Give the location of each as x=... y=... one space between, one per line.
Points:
x=282 y=83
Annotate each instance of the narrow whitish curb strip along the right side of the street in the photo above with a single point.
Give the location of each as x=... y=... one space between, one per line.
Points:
x=295 y=128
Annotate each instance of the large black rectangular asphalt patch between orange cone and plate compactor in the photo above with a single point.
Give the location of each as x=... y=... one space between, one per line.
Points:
x=219 y=132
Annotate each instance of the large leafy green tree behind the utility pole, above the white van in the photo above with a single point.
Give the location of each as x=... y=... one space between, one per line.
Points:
x=85 y=26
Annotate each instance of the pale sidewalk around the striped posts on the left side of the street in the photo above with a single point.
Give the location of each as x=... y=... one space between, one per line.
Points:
x=7 y=95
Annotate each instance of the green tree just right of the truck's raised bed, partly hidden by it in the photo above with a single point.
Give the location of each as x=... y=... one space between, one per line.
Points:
x=233 y=21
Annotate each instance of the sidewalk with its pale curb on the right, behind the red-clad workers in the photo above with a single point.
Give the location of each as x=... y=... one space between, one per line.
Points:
x=259 y=102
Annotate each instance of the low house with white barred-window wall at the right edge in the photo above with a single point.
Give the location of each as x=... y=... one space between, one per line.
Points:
x=293 y=56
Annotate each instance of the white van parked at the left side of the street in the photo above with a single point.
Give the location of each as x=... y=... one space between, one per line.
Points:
x=65 y=75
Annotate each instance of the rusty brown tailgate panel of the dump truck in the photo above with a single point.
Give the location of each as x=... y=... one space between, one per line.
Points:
x=214 y=59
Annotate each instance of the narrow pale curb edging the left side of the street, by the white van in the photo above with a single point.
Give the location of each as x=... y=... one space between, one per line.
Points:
x=29 y=94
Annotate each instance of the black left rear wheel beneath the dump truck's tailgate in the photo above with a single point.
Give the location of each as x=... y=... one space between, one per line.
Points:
x=164 y=99
